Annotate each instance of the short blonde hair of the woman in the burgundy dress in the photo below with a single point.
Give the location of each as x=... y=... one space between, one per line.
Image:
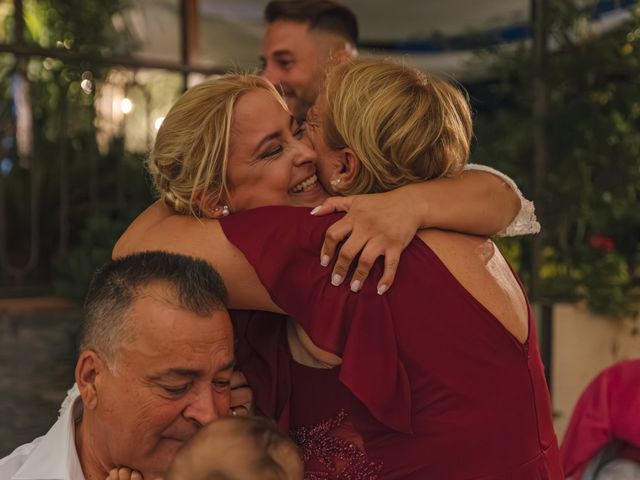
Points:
x=405 y=126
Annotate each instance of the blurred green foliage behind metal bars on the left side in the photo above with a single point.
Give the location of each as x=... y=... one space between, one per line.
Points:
x=102 y=192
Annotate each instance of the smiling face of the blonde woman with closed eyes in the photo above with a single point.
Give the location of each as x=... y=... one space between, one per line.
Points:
x=269 y=163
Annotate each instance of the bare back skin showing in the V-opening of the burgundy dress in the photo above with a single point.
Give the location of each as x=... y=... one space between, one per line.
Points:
x=476 y=262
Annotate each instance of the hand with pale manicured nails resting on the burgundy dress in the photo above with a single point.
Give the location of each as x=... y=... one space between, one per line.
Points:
x=375 y=225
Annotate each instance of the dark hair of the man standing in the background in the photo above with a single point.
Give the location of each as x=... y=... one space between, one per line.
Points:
x=324 y=15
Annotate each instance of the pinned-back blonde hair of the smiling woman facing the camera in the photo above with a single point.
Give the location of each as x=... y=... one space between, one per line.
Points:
x=189 y=160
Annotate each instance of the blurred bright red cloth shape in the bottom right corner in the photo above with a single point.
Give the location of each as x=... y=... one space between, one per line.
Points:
x=603 y=438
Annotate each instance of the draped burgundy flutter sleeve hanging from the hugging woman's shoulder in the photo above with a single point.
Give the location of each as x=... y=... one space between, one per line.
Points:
x=360 y=327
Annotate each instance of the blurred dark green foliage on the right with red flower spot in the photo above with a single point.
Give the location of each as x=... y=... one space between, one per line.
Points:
x=590 y=202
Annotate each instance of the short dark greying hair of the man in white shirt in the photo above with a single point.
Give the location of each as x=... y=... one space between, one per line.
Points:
x=193 y=285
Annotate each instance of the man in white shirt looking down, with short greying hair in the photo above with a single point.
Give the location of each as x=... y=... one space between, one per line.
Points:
x=155 y=365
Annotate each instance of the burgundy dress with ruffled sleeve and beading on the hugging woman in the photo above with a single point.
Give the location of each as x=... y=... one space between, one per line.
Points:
x=432 y=386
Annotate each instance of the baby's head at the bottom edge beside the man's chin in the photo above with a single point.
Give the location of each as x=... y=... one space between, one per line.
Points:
x=248 y=448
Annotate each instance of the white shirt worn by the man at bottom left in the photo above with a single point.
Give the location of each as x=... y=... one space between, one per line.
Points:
x=52 y=456
